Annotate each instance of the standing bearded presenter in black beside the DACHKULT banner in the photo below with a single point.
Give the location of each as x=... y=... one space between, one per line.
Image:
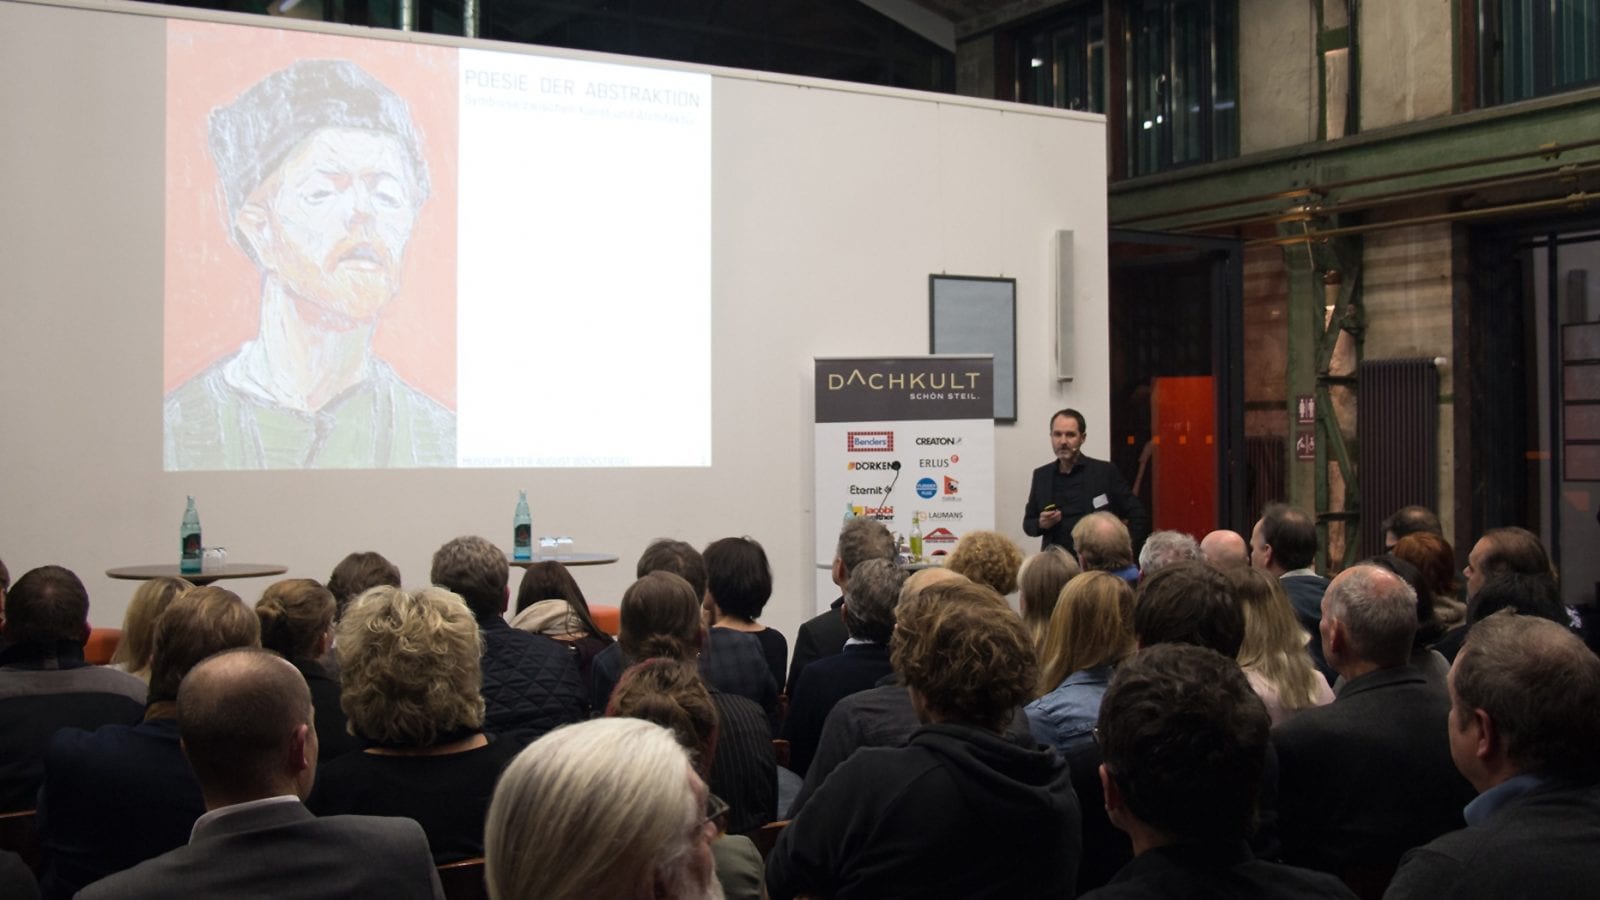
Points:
x=1074 y=486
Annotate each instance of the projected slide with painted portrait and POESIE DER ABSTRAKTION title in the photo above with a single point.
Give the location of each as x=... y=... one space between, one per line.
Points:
x=391 y=255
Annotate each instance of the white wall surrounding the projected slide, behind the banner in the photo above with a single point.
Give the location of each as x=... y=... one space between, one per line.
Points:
x=831 y=207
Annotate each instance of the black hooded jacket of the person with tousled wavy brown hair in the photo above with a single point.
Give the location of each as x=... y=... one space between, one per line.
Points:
x=958 y=813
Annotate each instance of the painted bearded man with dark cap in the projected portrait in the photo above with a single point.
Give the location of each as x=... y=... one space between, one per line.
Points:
x=322 y=175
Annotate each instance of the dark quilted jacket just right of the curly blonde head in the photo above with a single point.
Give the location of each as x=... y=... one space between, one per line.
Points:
x=530 y=683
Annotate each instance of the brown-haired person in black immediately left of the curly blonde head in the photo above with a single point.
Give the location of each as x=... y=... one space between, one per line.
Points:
x=297 y=622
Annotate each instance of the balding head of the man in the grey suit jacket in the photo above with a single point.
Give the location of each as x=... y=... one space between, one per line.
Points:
x=246 y=720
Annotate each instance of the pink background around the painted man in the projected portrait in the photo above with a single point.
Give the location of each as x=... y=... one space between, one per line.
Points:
x=212 y=287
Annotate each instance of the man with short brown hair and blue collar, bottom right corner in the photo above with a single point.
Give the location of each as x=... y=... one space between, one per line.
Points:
x=1524 y=731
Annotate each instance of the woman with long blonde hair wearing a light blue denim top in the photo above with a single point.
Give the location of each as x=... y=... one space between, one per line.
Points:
x=1090 y=633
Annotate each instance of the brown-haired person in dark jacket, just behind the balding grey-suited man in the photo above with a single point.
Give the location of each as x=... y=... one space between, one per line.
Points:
x=121 y=795
